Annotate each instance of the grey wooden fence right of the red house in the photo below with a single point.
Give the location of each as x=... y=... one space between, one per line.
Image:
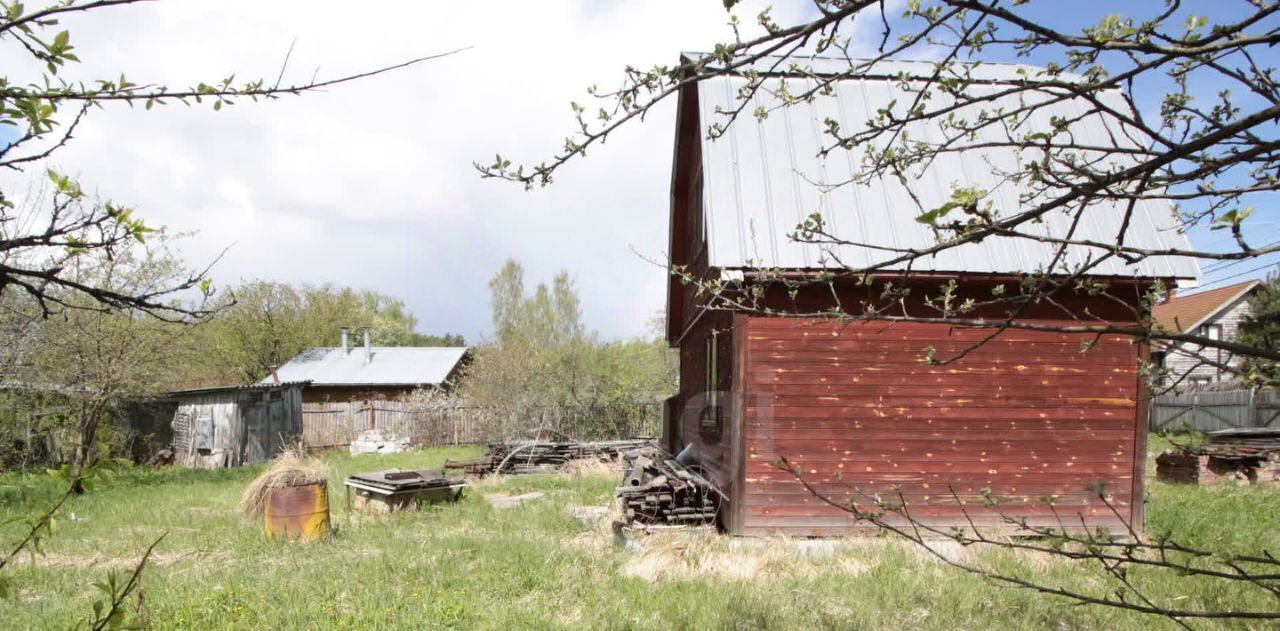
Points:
x=1212 y=411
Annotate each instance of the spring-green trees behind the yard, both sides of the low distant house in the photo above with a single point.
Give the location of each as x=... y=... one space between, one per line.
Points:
x=68 y=368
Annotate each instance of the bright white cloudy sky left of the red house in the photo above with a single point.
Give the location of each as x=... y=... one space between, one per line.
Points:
x=371 y=185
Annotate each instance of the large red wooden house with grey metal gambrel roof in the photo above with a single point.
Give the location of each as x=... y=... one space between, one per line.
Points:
x=852 y=406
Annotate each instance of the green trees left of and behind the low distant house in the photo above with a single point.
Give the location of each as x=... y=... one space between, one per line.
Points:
x=70 y=368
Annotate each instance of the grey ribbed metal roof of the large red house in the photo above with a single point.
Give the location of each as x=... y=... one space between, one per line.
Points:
x=761 y=179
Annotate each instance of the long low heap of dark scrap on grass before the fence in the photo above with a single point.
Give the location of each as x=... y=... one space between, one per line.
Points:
x=531 y=456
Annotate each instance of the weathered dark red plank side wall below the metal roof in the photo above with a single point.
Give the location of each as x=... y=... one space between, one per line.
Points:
x=854 y=408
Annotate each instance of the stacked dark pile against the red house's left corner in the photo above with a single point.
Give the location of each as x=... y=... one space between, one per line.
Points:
x=660 y=491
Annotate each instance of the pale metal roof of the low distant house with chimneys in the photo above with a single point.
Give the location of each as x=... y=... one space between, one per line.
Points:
x=386 y=367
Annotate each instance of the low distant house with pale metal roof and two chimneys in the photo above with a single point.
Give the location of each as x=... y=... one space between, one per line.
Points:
x=371 y=373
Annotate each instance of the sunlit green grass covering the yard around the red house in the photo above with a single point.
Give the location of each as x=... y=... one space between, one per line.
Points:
x=541 y=565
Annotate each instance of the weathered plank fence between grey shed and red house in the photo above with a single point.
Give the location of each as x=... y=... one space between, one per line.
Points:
x=339 y=424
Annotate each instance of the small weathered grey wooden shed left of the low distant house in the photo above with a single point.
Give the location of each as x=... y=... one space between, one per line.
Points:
x=236 y=426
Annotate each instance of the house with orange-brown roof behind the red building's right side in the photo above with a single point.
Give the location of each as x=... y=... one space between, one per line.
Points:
x=1213 y=314
